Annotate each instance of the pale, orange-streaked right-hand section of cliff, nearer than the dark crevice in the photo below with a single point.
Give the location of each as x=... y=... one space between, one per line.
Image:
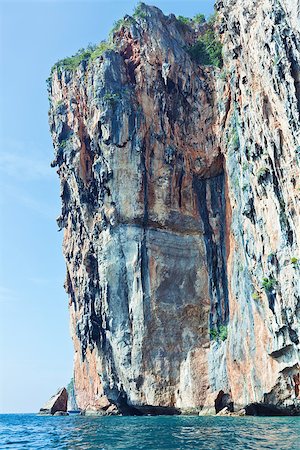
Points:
x=260 y=140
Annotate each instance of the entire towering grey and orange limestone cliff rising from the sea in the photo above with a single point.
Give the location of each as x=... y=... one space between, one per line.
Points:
x=180 y=210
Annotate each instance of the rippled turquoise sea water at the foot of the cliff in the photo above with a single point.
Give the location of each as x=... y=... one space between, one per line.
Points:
x=29 y=431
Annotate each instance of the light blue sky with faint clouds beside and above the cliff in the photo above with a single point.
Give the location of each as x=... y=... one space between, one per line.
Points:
x=36 y=355
